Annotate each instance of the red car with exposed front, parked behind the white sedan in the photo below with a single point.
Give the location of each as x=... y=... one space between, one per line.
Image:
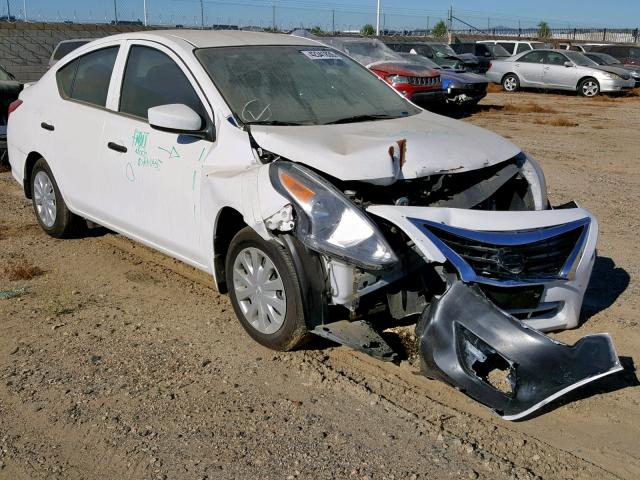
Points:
x=419 y=84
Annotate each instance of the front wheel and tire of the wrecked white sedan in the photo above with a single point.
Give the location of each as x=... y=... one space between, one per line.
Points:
x=268 y=307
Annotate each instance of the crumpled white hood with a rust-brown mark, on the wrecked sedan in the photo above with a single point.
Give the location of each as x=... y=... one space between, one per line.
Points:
x=369 y=151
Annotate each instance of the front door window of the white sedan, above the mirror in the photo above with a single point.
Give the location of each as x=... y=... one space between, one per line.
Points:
x=151 y=79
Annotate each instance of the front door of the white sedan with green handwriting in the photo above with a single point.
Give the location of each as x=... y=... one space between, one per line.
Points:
x=153 y=176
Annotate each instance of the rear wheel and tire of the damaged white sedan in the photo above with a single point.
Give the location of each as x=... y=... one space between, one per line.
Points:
x=48 y=205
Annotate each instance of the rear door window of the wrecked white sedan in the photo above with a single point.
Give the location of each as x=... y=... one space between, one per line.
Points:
x=87 y=77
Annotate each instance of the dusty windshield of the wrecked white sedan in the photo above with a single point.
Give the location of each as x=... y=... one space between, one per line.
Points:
x=298 y=85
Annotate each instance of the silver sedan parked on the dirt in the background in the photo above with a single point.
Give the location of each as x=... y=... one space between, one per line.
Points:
x=558 y=69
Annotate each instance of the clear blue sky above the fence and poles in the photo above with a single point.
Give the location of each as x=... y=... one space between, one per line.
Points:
x=341 y=13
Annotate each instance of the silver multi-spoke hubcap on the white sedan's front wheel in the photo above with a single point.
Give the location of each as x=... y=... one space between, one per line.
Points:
x=259 y=290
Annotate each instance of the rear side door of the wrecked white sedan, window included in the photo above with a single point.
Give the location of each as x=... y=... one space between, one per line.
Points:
x=72 y=126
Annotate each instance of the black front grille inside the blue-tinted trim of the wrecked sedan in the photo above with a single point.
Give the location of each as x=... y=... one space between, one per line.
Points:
x=543 y=258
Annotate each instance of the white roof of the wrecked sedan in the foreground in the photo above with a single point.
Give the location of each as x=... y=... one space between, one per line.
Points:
x=218 y=38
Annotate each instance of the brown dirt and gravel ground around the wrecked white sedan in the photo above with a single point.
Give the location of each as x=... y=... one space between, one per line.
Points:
x=118 y=362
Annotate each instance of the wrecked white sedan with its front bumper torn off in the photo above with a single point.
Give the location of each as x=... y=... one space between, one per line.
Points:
x=315 y=194
